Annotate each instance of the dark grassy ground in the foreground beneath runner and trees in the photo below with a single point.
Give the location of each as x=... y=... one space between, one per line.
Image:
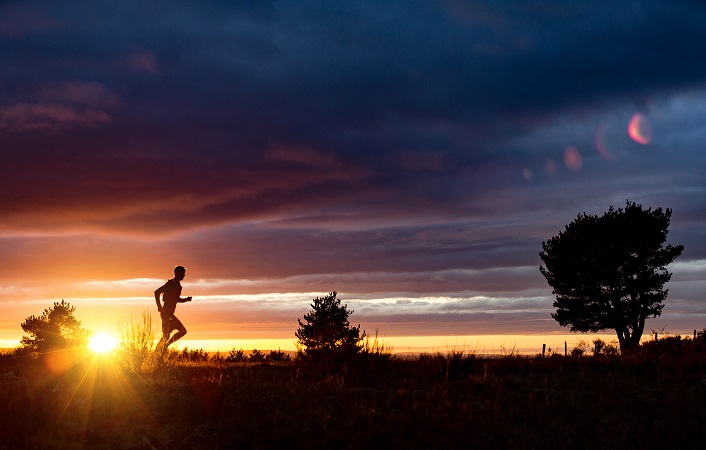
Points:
x=654 y=398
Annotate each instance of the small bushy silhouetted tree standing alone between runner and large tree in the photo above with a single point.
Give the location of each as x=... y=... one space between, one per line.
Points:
x=327 y=329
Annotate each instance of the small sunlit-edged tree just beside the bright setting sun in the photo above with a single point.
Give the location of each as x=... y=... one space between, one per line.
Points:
x=55 y=329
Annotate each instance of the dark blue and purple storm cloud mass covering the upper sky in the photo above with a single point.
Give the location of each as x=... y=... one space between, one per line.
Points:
x=414 y=98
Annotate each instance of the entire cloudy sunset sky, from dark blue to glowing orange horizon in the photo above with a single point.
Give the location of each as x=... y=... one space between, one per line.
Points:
x=411 y=156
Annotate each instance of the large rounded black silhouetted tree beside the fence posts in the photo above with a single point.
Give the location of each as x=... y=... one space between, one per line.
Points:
x=608 y=272
